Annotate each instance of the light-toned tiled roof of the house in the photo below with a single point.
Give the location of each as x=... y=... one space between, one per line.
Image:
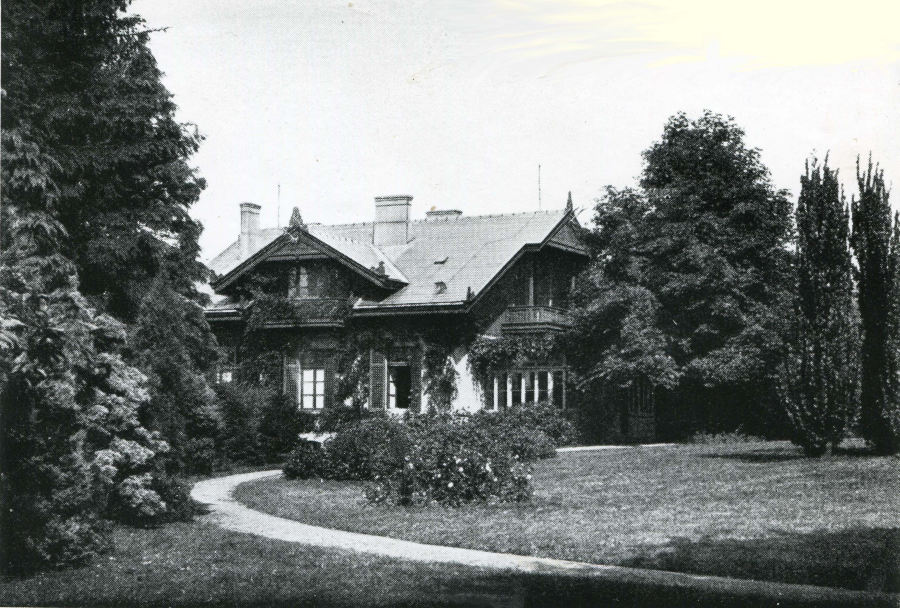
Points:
x=463 y=252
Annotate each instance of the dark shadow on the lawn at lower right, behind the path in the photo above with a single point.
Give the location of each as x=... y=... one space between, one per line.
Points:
x=860 y=559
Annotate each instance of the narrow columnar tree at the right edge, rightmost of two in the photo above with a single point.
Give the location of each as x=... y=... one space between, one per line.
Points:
x=871 y=241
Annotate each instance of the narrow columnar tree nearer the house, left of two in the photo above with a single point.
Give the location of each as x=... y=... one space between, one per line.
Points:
x=822 y=365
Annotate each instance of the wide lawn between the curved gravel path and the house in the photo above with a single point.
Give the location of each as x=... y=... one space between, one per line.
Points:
x=757 y=510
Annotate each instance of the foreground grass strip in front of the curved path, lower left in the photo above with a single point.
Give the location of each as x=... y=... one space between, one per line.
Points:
x=197 y=564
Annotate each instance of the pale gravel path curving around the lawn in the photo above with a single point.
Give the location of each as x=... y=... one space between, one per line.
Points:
x=226 y=512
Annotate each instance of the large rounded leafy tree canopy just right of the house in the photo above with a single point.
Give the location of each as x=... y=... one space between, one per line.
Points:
x=692 y=271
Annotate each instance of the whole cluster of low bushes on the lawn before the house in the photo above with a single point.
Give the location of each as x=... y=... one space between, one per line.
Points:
x=443 y=458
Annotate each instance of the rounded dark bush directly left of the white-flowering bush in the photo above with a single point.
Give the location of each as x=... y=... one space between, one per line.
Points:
x=366 y=450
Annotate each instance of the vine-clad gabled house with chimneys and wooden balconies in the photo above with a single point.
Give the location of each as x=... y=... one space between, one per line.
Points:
x=436 y=287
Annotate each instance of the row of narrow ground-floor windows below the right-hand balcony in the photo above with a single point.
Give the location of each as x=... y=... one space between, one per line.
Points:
x=524 y=387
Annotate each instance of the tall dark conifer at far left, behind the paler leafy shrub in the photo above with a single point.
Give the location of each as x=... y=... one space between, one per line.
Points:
x=80 y=82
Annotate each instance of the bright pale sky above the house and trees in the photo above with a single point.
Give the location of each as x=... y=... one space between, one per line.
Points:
x=458 y=102
